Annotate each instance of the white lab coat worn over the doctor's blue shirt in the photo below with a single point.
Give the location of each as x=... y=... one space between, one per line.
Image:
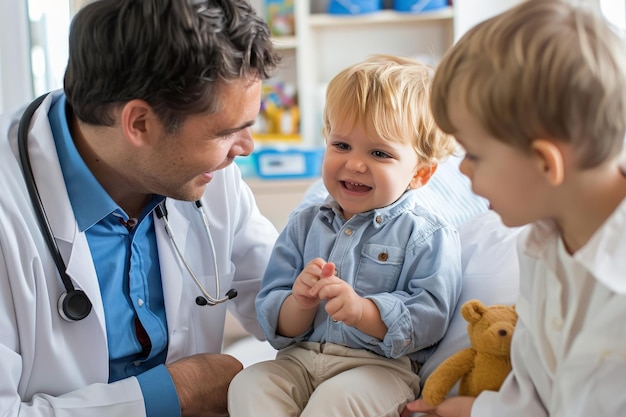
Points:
x=51 y=367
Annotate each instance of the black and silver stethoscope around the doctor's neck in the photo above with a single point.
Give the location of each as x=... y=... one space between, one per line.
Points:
x=74 y=304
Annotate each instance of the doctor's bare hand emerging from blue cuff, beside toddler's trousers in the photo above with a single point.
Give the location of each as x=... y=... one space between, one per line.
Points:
x=202 y=382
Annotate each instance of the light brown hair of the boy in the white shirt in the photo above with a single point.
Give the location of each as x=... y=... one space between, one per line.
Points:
x=542 y=70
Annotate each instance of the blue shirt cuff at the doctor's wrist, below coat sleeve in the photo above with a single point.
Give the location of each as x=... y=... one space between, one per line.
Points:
x=159 y=393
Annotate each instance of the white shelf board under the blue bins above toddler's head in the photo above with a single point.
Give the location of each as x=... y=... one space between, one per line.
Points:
x=381 y=17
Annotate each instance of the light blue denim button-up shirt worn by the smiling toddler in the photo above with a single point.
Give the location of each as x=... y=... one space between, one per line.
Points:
x=404 y=258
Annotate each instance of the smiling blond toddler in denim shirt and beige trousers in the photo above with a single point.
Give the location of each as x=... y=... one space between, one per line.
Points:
x=359 y=289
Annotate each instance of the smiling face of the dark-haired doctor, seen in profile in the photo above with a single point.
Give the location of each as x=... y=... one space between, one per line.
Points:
x=181 y=165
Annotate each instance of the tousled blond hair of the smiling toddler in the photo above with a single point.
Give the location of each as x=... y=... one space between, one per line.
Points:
x=393 y=94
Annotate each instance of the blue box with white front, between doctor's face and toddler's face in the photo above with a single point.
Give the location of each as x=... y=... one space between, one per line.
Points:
x=288 y=163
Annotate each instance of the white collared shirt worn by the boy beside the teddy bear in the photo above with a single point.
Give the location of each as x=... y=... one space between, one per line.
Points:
x=569 y=346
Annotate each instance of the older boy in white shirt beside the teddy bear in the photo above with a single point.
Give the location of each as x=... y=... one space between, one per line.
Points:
x=537 y=97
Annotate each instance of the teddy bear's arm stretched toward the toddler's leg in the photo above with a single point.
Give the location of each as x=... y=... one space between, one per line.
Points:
x=443 y=378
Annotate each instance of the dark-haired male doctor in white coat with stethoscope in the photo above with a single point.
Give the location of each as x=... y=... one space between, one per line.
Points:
x=158 y=100
